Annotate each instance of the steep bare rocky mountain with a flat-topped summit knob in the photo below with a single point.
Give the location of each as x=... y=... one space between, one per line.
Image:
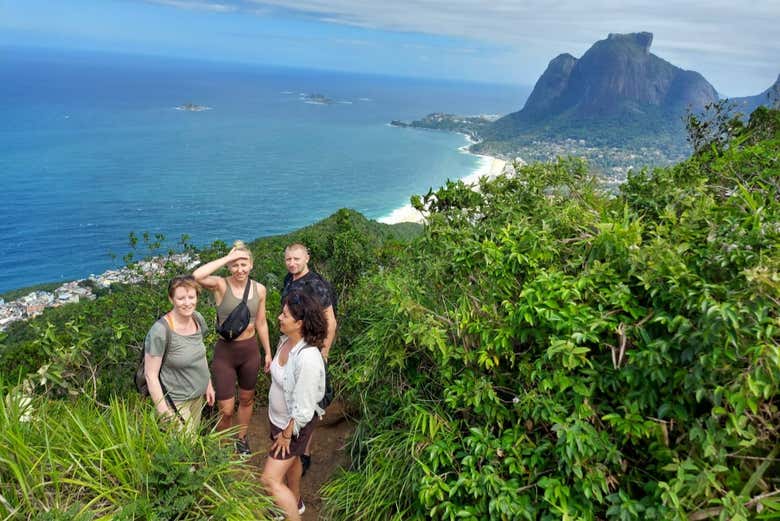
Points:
x=617 y=87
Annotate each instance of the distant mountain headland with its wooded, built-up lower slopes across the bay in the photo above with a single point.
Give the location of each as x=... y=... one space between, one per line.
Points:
x=618 y=106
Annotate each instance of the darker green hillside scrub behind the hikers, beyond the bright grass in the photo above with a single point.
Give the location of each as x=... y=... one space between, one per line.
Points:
x=92 y=348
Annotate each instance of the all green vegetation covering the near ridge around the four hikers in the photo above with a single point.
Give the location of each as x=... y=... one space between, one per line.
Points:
x=541 y=350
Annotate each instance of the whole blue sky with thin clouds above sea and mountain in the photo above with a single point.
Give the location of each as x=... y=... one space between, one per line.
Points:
x=735 y=45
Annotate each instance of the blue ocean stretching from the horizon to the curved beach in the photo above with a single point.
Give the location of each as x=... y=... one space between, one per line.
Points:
x=92 y=147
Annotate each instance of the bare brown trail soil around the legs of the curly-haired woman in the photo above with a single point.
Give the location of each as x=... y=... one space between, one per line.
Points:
x=328 y=450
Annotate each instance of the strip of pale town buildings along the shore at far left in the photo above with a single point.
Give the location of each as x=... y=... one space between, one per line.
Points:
x=33 y=304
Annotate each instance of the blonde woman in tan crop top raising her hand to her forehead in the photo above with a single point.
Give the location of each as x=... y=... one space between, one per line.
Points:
x=237 y=361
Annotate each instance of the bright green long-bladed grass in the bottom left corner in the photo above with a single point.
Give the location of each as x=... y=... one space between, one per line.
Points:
x=78 y=461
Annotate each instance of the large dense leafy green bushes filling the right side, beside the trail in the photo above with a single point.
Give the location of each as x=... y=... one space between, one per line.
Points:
x=548 y=352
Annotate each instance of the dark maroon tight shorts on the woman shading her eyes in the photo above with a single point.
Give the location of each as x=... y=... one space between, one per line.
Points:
x=237 y=361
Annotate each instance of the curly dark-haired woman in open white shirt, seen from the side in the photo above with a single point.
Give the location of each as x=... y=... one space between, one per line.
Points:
x=297 y=385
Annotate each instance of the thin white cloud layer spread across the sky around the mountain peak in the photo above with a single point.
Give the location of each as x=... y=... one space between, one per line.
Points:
x=715 y=34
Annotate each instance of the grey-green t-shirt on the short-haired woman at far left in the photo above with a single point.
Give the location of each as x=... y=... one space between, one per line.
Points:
x=185 y=372
